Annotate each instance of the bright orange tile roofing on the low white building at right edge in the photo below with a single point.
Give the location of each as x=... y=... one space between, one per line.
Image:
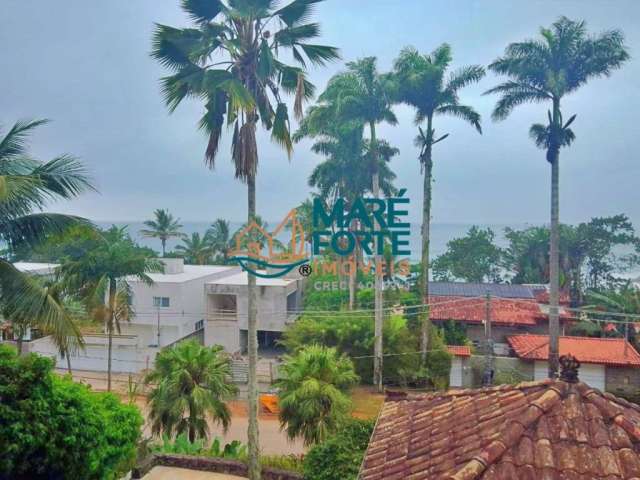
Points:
x=604 y=351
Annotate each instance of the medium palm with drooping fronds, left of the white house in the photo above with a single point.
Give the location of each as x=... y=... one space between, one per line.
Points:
x=101 y=274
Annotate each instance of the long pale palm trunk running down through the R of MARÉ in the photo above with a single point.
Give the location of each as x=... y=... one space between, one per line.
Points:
x=378 y=358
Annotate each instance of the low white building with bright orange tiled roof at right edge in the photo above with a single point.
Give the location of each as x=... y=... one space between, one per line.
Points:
x=610 y=364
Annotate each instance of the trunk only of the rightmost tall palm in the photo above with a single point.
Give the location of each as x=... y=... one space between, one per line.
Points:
x=554 y=257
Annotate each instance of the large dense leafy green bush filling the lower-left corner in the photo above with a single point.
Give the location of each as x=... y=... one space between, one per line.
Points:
x=51 y=427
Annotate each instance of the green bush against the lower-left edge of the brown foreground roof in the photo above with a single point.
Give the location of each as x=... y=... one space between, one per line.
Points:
x=340 y=456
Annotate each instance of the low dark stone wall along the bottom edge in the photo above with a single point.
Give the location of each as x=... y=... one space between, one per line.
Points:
x=208 y=464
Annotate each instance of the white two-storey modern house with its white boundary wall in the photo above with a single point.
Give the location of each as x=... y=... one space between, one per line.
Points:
x=208 y=302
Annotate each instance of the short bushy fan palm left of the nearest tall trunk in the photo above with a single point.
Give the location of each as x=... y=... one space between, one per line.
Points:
x=190 y=382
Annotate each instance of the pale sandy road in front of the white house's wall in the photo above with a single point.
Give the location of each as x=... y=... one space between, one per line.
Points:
x=272 y=440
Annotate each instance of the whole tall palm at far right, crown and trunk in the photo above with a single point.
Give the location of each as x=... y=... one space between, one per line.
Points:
x=546 y=70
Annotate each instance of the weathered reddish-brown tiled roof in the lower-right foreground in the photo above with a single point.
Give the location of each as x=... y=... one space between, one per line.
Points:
x=547 y=430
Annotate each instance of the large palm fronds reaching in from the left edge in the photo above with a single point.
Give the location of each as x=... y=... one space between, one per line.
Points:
x=26 y=185
